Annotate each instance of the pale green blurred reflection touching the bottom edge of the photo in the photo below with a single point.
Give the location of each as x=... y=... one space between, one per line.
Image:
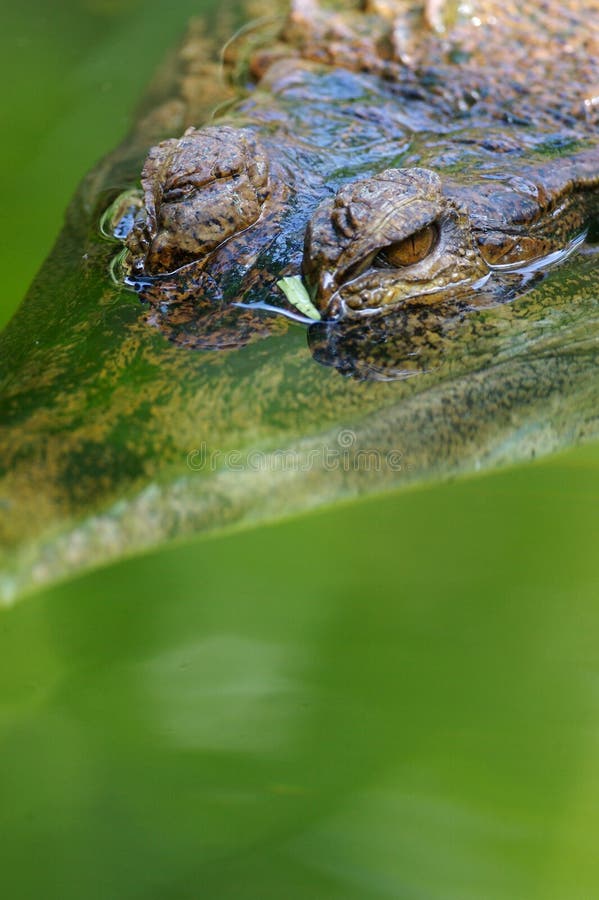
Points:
x=380 y=843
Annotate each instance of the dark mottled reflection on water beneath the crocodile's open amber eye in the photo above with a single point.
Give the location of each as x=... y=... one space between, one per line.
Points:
x=453 y=337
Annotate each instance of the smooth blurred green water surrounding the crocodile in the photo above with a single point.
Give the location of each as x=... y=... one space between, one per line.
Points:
x=393 y=699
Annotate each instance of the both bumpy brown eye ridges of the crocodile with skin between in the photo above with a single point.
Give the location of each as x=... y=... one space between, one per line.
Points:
x=222 y=208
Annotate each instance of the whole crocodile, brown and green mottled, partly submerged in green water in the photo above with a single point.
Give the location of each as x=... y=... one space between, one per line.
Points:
x=114 y=439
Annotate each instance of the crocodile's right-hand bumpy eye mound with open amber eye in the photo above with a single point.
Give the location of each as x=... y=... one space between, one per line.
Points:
x=383 y=240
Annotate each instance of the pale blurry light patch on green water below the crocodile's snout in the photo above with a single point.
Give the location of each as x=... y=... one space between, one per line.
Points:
x=224 y=693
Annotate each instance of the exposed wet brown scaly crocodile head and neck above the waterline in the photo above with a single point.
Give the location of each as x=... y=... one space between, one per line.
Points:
x=393 y=157
